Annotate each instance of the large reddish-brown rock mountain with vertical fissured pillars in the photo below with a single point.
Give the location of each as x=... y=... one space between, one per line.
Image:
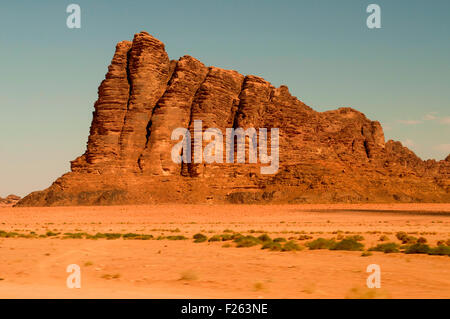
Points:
x=333 y=156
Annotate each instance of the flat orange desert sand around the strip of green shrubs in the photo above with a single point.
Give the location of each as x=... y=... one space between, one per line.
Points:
x=36 y=267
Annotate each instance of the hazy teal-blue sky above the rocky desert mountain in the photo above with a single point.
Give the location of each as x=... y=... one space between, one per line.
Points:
x=321 y=49
